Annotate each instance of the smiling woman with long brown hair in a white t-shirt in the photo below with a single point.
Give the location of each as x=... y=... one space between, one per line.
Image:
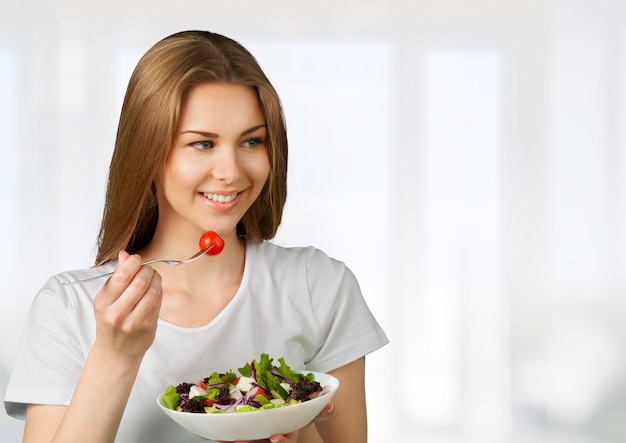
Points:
x=201 y=146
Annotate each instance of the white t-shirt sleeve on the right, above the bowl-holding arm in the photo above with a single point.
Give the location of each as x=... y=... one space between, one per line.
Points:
x=347 y=329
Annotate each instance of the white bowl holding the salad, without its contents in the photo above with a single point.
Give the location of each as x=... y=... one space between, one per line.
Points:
x=255 y=425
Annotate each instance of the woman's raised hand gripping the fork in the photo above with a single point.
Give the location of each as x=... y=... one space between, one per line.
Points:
x=127 y=309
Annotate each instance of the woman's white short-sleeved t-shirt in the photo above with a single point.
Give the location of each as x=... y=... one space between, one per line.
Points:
x=295 y=303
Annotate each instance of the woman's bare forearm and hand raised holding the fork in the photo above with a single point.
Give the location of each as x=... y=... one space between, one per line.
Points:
x=126 y=311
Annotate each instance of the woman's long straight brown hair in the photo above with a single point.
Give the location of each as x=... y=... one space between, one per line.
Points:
x=147 y=128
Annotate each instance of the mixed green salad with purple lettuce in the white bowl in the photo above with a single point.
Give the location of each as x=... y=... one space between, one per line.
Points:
x=259 y=385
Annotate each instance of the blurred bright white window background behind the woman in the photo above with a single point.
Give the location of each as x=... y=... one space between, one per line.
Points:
x=466 y=159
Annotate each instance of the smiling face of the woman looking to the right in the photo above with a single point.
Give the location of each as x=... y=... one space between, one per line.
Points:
x=218 y=162
